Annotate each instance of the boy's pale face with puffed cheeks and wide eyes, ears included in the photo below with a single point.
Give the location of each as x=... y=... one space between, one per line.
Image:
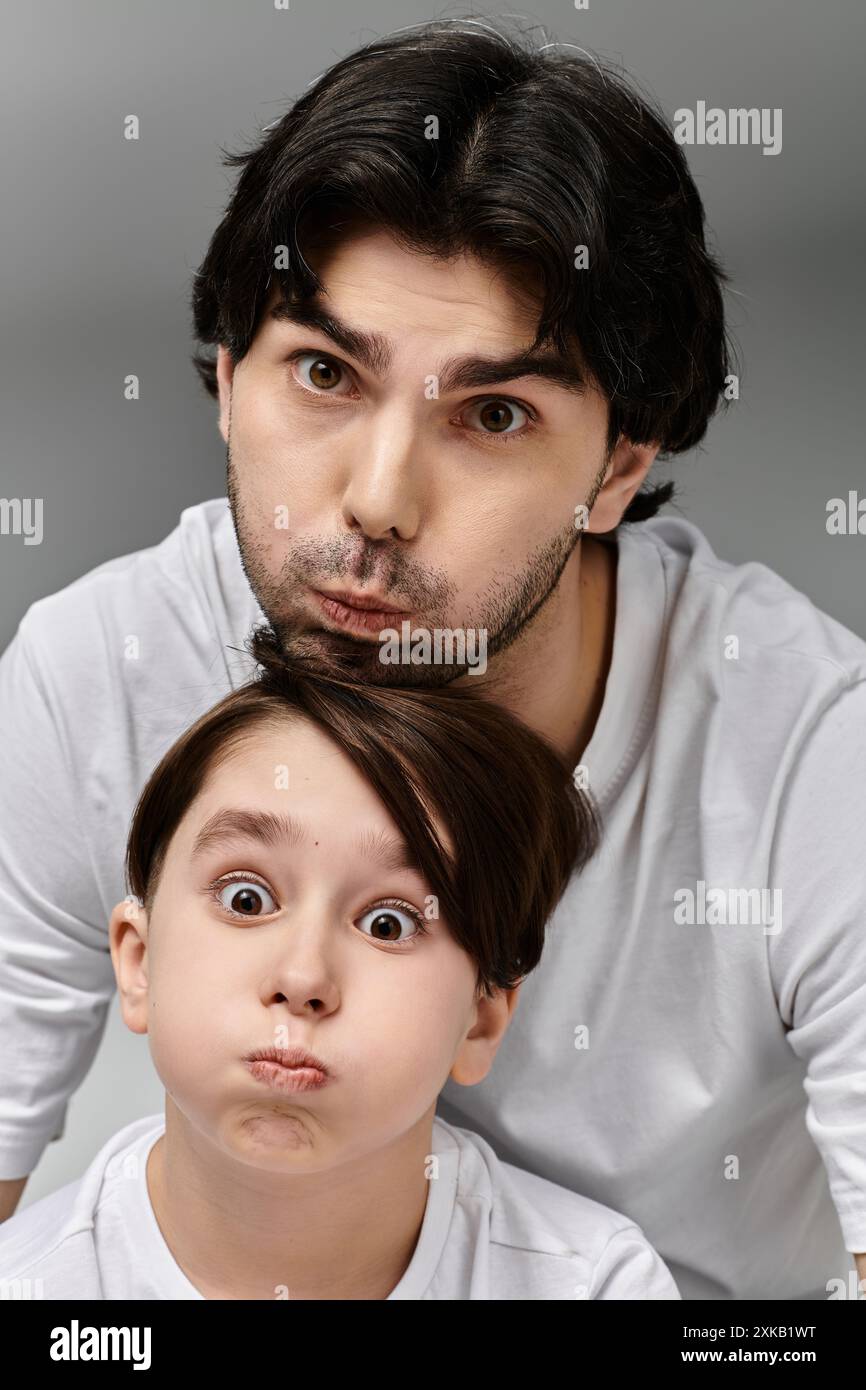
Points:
x=315 y=957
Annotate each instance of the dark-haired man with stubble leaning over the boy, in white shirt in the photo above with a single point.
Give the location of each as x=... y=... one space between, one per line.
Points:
x=461 y=302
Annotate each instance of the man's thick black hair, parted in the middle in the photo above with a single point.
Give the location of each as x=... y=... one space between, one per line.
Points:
x=539 y=151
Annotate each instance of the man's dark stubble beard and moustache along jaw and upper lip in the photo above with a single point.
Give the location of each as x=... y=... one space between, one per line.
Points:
x=507 y=618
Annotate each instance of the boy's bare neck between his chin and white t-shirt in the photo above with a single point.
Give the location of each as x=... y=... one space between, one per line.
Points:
x=241 y=1232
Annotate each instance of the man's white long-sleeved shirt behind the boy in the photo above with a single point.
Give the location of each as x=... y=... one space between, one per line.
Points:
x=690 y=1074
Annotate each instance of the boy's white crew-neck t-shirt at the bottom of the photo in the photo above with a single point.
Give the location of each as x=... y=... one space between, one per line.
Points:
x=489 y=1232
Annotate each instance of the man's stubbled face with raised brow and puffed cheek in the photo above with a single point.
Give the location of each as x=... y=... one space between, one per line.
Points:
x=384 y=476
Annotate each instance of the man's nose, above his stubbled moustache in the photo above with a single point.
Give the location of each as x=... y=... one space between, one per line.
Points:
x=384 y=494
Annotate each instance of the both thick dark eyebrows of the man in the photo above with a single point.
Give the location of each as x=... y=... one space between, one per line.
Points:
x=376 y=354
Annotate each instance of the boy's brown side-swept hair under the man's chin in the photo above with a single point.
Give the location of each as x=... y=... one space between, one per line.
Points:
x=518 y=824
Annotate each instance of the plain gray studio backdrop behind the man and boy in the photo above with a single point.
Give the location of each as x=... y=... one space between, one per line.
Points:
x=101 y=238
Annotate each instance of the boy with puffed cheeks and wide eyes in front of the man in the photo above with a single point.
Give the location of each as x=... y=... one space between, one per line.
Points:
x=336 y=896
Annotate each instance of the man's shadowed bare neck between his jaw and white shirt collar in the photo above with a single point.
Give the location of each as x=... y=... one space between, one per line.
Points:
x=554 y=676
